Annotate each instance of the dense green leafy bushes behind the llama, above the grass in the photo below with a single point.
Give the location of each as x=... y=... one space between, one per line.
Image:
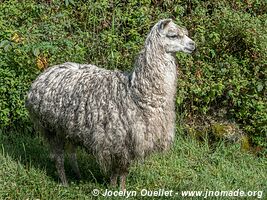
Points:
x=228 y=70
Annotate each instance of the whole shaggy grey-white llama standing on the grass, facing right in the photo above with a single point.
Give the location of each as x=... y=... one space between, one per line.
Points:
x=115 y=116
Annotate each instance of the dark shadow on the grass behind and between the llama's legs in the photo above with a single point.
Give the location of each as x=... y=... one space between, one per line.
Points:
x=30 y=149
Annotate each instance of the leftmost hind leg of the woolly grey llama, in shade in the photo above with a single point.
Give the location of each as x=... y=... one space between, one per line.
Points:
x=57 y=154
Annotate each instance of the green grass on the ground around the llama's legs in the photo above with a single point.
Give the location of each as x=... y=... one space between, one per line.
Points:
x=26 y=171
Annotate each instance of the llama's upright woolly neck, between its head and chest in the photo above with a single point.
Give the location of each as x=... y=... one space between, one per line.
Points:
x=154 y=78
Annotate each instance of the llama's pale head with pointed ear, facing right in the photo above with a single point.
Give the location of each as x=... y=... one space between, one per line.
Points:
x=173 y=38
